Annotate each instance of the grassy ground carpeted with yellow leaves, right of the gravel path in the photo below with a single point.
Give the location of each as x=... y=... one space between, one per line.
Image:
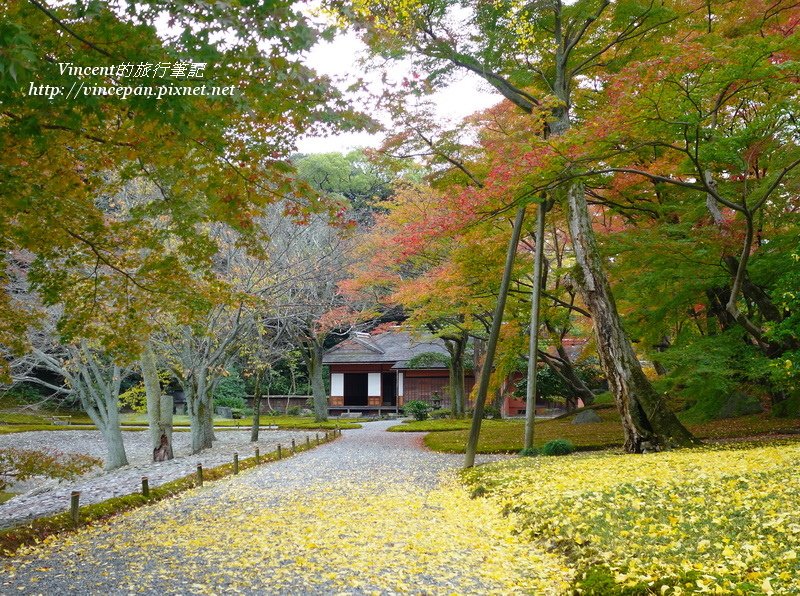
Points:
x=716 y=520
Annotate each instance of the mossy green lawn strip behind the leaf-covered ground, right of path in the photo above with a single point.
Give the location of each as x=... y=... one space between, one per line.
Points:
x=506 y=436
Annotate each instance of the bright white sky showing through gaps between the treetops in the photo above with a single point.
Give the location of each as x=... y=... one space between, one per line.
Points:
x=339 y=60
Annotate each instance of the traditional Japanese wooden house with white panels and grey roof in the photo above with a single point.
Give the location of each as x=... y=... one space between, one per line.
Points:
x=378 y=373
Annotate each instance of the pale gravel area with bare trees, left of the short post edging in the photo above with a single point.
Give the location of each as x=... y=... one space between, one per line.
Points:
x=52 y=496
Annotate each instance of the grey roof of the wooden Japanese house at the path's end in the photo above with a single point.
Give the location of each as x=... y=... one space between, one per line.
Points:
x=390 y=346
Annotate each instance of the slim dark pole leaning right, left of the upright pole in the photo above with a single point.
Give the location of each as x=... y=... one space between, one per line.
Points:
x=491 y=346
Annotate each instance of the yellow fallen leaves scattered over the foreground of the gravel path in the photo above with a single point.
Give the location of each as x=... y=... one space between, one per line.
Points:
x=384 y=536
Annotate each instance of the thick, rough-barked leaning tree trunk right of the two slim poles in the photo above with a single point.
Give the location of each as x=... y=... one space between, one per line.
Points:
x=646 y=420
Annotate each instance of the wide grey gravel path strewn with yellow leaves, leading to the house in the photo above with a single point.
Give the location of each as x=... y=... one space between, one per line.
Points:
x=372 y=512
